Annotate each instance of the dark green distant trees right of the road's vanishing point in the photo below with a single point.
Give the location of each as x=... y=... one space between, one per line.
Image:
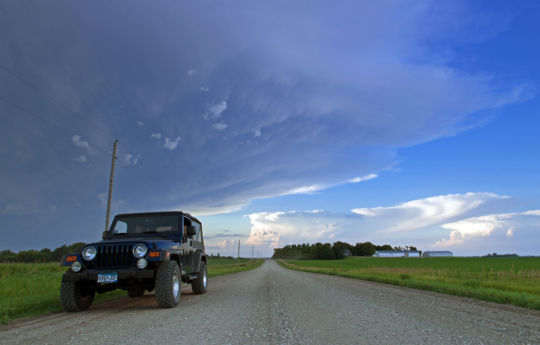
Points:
x=327 y=251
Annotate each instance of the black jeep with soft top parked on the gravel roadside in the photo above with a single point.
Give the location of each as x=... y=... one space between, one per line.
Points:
x=141 y=251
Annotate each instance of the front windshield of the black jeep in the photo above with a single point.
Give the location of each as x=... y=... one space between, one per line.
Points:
x=140 y=225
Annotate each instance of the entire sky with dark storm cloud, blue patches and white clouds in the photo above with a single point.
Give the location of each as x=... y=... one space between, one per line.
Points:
x=274 y=122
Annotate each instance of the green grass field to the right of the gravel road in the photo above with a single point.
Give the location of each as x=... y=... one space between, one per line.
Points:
x=507 y=280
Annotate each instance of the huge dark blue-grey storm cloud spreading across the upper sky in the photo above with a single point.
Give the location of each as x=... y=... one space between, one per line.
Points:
x=295 y=94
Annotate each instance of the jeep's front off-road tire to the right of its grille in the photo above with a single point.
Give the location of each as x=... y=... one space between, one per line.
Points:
x=168 y=284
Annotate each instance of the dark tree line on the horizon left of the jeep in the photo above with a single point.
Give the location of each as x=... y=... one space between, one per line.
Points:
x=44 y=255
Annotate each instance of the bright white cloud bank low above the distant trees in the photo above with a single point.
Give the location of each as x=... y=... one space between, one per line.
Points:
x=422 y=222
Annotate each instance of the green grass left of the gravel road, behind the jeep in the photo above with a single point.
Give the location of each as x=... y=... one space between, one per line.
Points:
x=33 y=289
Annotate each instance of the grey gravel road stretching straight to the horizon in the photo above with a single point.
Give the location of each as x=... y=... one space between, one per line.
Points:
x=273 y=305
